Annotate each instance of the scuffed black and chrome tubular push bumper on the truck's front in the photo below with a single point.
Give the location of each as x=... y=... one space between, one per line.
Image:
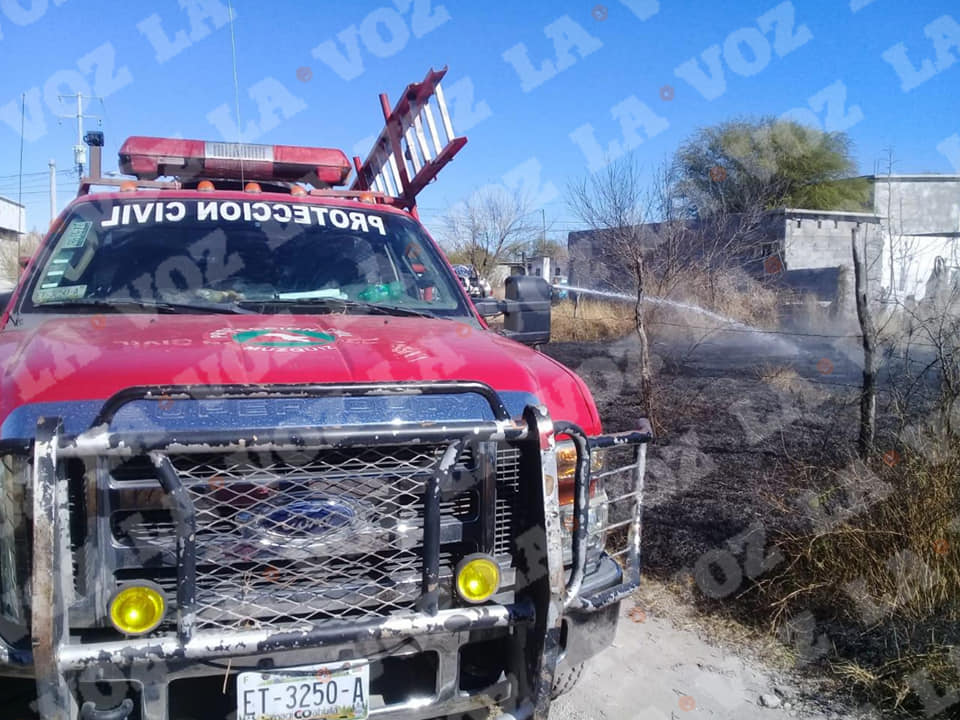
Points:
x=559 y=615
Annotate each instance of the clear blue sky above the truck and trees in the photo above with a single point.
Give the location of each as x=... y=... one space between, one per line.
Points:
x=821 y=59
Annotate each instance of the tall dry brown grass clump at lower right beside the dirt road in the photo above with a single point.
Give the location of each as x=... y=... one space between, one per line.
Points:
x=884 y=566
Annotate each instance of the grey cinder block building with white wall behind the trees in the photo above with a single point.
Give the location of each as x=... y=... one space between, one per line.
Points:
x=914 y=226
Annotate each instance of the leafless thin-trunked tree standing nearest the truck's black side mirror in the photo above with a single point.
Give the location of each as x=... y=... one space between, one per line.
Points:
x=613 y=203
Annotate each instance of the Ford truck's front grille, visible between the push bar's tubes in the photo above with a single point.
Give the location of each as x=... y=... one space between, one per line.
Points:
x=329 y=534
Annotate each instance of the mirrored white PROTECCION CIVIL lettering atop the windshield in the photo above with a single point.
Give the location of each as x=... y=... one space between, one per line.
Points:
x=230 y=211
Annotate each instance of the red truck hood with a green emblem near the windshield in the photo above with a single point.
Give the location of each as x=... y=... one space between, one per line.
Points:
x=86 y=359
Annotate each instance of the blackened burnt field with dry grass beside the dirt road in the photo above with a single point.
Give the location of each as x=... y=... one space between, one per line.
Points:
x=760 y=518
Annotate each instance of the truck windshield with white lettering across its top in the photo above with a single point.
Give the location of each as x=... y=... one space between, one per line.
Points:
x=241 y=256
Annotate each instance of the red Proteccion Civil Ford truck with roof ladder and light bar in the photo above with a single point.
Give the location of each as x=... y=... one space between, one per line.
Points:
x=262 y=457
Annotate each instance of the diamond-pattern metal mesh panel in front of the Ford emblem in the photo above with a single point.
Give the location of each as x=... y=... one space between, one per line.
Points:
x=327 y=536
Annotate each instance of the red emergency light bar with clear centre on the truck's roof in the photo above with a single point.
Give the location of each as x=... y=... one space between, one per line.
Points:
x=149 y=158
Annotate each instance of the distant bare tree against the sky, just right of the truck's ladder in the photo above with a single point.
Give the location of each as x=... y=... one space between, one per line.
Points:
x=490 y=225
